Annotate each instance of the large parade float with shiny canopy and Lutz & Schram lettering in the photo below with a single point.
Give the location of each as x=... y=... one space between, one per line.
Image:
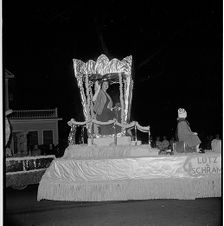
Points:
x=118 y=166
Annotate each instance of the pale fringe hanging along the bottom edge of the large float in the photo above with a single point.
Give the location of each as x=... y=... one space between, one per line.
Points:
x=131 y=190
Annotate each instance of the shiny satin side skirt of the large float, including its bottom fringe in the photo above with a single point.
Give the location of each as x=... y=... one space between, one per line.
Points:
x=175 y=177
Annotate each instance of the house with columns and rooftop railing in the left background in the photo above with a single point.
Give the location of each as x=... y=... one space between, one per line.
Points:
x=29 y=128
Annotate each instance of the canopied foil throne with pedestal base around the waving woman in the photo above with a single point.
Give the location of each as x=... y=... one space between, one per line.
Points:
x=118 y=74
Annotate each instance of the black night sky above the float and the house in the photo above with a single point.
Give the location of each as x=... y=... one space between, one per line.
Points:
x=176 y=49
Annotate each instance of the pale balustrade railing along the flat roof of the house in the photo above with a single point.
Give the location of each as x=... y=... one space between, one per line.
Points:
x=34 y=114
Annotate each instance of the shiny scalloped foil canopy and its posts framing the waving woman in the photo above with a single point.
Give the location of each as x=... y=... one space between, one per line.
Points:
x=113 y=71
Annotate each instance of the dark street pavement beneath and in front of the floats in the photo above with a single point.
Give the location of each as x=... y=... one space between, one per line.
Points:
x=21 y=209
